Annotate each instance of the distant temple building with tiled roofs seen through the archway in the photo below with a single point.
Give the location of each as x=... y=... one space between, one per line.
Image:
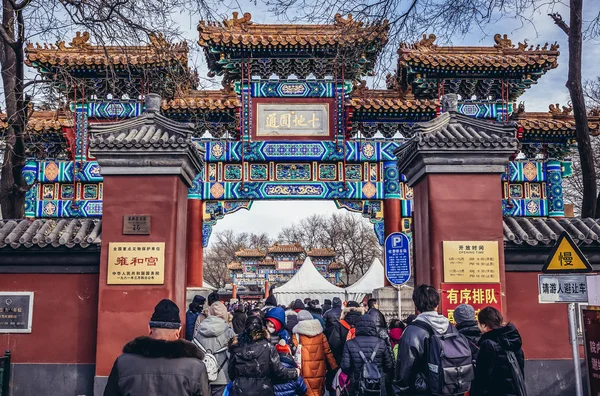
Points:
x=258 y=269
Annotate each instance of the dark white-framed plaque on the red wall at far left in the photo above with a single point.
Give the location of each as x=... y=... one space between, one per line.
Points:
x=16 y=312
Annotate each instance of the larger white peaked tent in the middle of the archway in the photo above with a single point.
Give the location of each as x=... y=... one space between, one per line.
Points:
x=307 y=282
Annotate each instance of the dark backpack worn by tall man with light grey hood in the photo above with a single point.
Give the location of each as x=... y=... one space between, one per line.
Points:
x=449 y=364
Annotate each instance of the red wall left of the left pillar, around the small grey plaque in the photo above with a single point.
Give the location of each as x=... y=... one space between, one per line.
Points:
x=65 y=309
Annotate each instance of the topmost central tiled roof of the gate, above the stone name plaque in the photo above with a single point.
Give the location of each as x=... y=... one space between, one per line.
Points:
x=243 y=32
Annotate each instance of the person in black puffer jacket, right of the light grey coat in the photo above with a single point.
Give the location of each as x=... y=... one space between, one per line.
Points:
x=254 y=362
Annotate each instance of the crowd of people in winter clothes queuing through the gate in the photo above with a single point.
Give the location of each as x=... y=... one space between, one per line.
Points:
x=305 y=348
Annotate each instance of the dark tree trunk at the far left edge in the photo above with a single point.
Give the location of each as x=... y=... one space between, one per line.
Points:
x=13 y=186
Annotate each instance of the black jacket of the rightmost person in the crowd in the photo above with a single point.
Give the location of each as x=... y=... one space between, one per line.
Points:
x=493 y=373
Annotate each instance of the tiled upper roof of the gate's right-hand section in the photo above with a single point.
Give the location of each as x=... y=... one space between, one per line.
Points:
x=504 y=55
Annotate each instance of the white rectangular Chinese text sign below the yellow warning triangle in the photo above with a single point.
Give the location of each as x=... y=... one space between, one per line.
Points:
x=563 y=288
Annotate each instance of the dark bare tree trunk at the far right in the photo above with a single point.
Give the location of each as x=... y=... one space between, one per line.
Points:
x=575 y=86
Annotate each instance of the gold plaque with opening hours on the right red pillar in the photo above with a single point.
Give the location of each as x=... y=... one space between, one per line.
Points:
x=471 y=262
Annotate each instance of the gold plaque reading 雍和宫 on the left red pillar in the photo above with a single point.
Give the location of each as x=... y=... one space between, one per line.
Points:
x=136 y=263
